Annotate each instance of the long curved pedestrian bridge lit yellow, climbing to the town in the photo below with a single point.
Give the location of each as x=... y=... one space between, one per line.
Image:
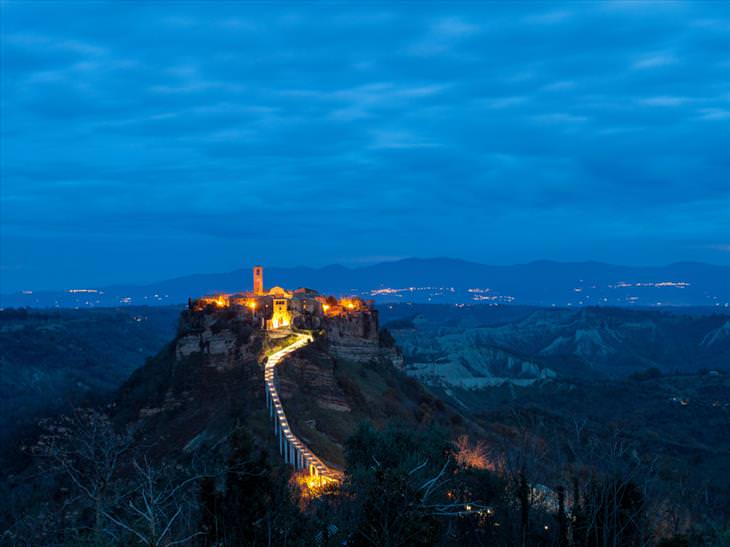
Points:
x=292 y=449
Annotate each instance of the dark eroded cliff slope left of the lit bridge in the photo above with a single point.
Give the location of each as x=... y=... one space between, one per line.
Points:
x=192 y=394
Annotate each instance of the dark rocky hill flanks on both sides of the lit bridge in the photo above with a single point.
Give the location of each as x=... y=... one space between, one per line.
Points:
x=211 y=377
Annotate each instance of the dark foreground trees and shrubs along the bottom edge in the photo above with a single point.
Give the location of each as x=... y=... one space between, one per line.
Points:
x=401 y=487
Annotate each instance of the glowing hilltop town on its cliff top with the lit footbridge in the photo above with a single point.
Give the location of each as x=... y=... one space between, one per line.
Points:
x=266 y=326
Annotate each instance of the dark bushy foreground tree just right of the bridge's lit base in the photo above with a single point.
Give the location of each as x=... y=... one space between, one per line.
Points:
x=401 y=481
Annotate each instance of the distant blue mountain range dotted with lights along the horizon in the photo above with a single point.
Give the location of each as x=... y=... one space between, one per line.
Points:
x=436 y=280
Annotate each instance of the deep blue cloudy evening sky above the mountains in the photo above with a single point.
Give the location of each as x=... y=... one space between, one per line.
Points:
x=147 y=140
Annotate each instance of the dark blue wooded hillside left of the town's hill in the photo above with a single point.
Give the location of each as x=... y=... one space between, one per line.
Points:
x=51 y=360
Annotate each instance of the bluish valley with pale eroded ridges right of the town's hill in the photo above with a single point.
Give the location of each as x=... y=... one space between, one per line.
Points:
x=481 y=346
